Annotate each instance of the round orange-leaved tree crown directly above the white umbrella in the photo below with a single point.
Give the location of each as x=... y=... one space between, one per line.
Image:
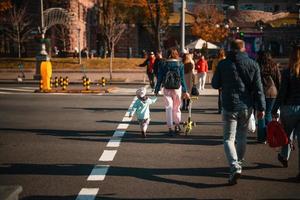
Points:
x=209 y=24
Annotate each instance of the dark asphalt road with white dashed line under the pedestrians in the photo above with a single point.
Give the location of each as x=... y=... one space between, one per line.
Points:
x=51 y=144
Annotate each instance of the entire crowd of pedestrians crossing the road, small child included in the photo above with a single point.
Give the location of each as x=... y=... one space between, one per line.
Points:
x=245 y=87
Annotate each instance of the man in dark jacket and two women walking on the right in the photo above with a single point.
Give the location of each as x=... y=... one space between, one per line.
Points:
x=247 y=85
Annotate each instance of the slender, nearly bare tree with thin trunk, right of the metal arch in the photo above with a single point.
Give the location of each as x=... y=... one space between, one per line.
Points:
x=113 y=27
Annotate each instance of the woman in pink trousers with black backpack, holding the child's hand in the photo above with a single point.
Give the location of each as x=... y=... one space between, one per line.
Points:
x=171 y=75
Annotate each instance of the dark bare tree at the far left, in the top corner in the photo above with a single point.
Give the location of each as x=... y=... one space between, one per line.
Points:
x=19 y=28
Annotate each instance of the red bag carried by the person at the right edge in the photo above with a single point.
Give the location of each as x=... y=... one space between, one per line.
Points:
x=276 y=136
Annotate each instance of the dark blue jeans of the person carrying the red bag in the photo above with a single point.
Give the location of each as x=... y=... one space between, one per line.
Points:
x=290 y=118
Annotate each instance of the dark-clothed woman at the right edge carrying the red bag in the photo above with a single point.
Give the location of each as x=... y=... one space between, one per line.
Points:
x=288 y=100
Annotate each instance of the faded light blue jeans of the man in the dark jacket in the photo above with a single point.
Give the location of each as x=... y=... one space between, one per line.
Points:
x=235 y=129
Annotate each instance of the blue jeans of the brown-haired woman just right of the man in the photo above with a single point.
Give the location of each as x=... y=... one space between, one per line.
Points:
x=262 y=123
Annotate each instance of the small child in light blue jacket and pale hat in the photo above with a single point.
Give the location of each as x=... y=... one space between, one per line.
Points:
x=142 y=110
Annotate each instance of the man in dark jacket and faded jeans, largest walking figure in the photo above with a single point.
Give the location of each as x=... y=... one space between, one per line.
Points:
x=239 y=78
